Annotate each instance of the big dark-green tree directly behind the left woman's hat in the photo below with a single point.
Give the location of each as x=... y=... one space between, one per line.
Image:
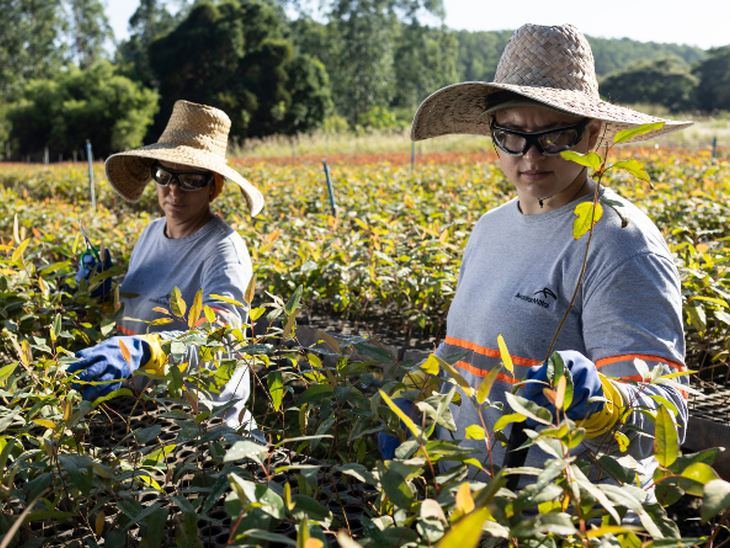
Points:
x=233 y=55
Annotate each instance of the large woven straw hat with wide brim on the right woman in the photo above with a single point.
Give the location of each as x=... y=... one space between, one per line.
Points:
x=552 y=65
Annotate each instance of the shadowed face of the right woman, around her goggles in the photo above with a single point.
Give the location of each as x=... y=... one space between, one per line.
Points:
x=536 y=176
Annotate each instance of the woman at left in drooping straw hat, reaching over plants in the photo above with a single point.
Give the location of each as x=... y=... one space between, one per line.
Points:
x=189 y=248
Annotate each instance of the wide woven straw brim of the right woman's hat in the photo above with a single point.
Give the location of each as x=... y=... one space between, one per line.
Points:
x=460 y=109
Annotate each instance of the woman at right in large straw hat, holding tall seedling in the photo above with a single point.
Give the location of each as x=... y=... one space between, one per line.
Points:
x=521 y=264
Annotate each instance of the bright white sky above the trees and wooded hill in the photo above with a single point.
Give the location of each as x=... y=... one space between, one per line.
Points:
x=701 y=23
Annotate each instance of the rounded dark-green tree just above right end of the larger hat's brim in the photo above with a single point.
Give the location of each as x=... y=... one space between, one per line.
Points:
x=666 y=81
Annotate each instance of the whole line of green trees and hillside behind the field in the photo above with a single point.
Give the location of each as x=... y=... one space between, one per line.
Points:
x=275 y=69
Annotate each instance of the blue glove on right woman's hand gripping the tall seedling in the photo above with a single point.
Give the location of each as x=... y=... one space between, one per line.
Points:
x=586 y=385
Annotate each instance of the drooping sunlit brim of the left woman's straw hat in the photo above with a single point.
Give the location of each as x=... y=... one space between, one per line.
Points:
x=129 y=172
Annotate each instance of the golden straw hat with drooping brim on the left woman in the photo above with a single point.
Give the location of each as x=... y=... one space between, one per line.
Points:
x=196 y=136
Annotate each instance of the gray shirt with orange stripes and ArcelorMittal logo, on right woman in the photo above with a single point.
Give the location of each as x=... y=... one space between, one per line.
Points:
x=517 y=278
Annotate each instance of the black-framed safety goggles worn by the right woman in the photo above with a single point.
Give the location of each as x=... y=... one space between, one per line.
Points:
x=549 y=142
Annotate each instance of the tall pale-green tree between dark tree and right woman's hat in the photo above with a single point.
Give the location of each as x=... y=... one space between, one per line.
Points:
x=377 y=53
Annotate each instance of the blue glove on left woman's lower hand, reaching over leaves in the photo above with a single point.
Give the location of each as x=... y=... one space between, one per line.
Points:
x=104 y=362
